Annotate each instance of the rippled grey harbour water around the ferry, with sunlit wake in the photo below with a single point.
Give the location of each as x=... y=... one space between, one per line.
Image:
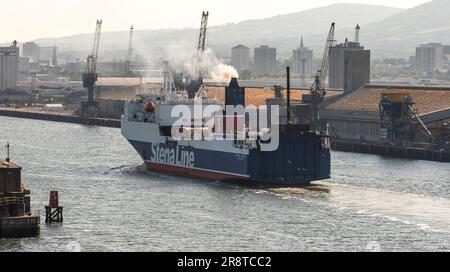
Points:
x=111 y=203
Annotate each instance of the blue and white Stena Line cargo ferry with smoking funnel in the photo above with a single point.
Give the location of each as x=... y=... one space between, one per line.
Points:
x=298 y=155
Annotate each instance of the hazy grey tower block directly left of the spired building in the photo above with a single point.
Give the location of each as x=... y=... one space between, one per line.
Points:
x=265 y=58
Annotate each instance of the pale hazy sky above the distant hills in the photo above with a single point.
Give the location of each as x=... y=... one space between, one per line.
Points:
x=30 y=19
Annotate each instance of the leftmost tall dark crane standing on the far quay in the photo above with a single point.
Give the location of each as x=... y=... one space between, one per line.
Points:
x=90 y=76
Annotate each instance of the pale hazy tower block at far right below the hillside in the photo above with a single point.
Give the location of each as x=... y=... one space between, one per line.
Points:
x=429 y=57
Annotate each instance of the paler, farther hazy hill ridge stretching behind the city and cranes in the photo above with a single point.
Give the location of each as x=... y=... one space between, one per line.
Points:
x=282 y=31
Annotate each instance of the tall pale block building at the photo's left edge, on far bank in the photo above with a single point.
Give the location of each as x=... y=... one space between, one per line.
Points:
x=9 y=67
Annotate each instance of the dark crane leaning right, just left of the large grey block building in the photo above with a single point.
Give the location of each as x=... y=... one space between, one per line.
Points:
x=317 y=92
